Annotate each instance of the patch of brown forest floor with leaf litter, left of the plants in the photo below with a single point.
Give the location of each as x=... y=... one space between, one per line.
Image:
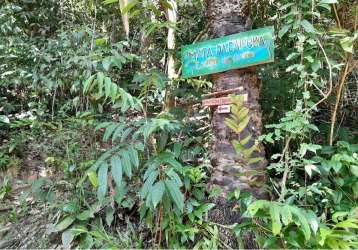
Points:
x=25 y=220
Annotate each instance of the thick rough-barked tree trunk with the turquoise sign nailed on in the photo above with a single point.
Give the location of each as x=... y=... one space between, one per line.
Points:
x=231 y=172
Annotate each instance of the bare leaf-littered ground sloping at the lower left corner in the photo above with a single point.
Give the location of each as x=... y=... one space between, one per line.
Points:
x=26 y=221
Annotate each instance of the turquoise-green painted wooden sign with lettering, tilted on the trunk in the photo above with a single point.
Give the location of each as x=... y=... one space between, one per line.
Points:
x=230 y=52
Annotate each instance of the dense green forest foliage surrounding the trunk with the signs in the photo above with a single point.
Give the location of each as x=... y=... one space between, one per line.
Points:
x=128 y=147
